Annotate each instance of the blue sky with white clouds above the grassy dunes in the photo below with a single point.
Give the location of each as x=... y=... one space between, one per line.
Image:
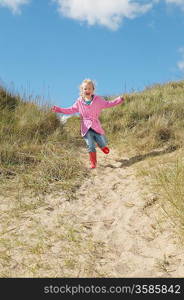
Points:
x=47 y=47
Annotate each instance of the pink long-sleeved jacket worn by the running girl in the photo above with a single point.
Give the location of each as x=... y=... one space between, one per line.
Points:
x=89 y=113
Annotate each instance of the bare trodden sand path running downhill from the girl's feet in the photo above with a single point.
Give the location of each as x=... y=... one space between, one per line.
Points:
x=121 y=212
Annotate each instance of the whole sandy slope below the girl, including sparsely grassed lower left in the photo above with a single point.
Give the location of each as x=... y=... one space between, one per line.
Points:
x=112 y=227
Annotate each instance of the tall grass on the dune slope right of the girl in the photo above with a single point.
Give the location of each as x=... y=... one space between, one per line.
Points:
x=150 y=119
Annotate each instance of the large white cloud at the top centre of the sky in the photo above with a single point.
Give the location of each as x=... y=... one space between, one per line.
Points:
x=109 y=13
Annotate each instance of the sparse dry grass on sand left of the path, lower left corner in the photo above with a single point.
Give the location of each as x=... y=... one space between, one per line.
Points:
x=40 y=239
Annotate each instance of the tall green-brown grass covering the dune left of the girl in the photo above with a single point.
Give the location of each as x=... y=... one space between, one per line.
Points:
x=35 y=148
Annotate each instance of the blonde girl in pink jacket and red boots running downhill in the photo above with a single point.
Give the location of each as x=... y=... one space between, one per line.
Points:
x=89 y=106
